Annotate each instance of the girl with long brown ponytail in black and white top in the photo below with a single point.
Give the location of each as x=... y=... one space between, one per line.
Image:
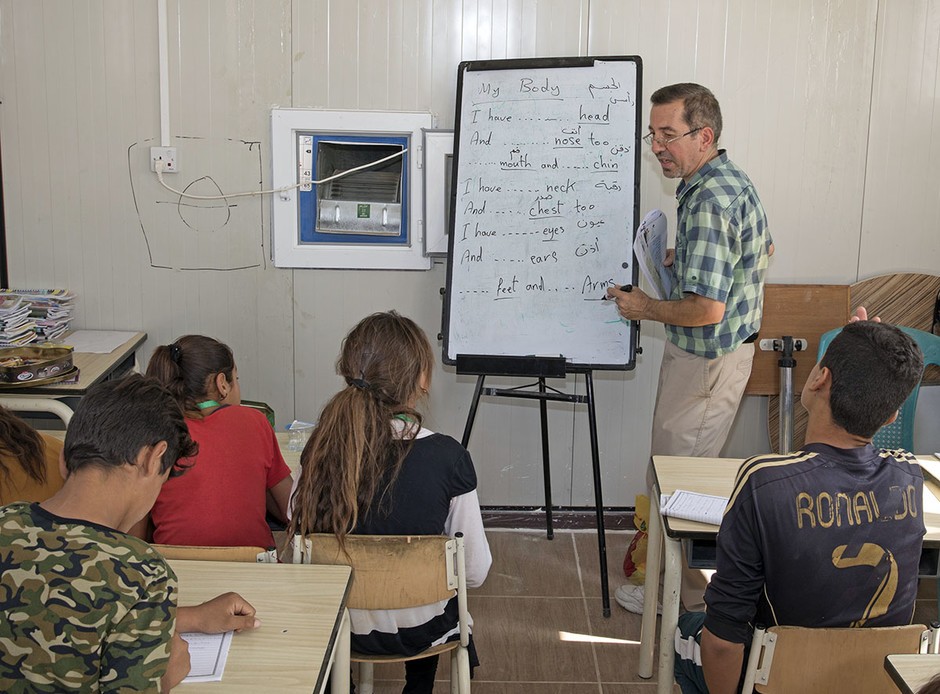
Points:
x=371 y=468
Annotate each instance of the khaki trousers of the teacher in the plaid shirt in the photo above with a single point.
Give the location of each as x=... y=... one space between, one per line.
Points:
x=696 y=403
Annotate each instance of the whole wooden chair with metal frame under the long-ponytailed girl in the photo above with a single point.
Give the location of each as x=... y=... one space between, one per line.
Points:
x=392 y=572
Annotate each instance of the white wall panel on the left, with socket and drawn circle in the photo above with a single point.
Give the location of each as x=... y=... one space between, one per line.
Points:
x=81 y=79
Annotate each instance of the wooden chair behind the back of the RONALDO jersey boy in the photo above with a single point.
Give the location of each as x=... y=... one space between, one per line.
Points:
x=802 y=659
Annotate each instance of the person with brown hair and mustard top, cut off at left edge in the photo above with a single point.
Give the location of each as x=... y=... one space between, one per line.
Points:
x=29 y=461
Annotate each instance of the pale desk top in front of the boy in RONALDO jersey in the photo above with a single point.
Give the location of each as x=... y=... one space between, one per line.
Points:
x=716 y=476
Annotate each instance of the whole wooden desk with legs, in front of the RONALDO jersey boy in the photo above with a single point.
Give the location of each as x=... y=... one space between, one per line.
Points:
x=708 y=476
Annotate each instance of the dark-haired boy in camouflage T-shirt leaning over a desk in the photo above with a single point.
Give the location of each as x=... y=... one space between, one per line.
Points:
x=86 y=606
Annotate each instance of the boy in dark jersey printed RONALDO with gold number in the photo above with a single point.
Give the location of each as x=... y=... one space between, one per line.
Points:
x=829 y=536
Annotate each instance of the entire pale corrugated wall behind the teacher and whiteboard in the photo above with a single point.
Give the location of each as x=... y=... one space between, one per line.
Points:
x=829 y=105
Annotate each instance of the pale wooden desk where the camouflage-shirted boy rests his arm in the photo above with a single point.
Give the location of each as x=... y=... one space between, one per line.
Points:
x=304 y=632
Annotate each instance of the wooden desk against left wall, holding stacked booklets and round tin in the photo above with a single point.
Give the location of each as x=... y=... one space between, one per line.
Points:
x=92 y=369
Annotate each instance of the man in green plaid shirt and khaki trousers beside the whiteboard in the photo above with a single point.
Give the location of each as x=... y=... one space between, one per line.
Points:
x=719 y=262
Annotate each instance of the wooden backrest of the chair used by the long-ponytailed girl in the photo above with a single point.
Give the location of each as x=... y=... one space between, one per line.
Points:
x=389 y=571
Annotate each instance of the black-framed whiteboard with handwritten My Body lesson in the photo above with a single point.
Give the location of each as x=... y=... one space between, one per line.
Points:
x=544 y=209
